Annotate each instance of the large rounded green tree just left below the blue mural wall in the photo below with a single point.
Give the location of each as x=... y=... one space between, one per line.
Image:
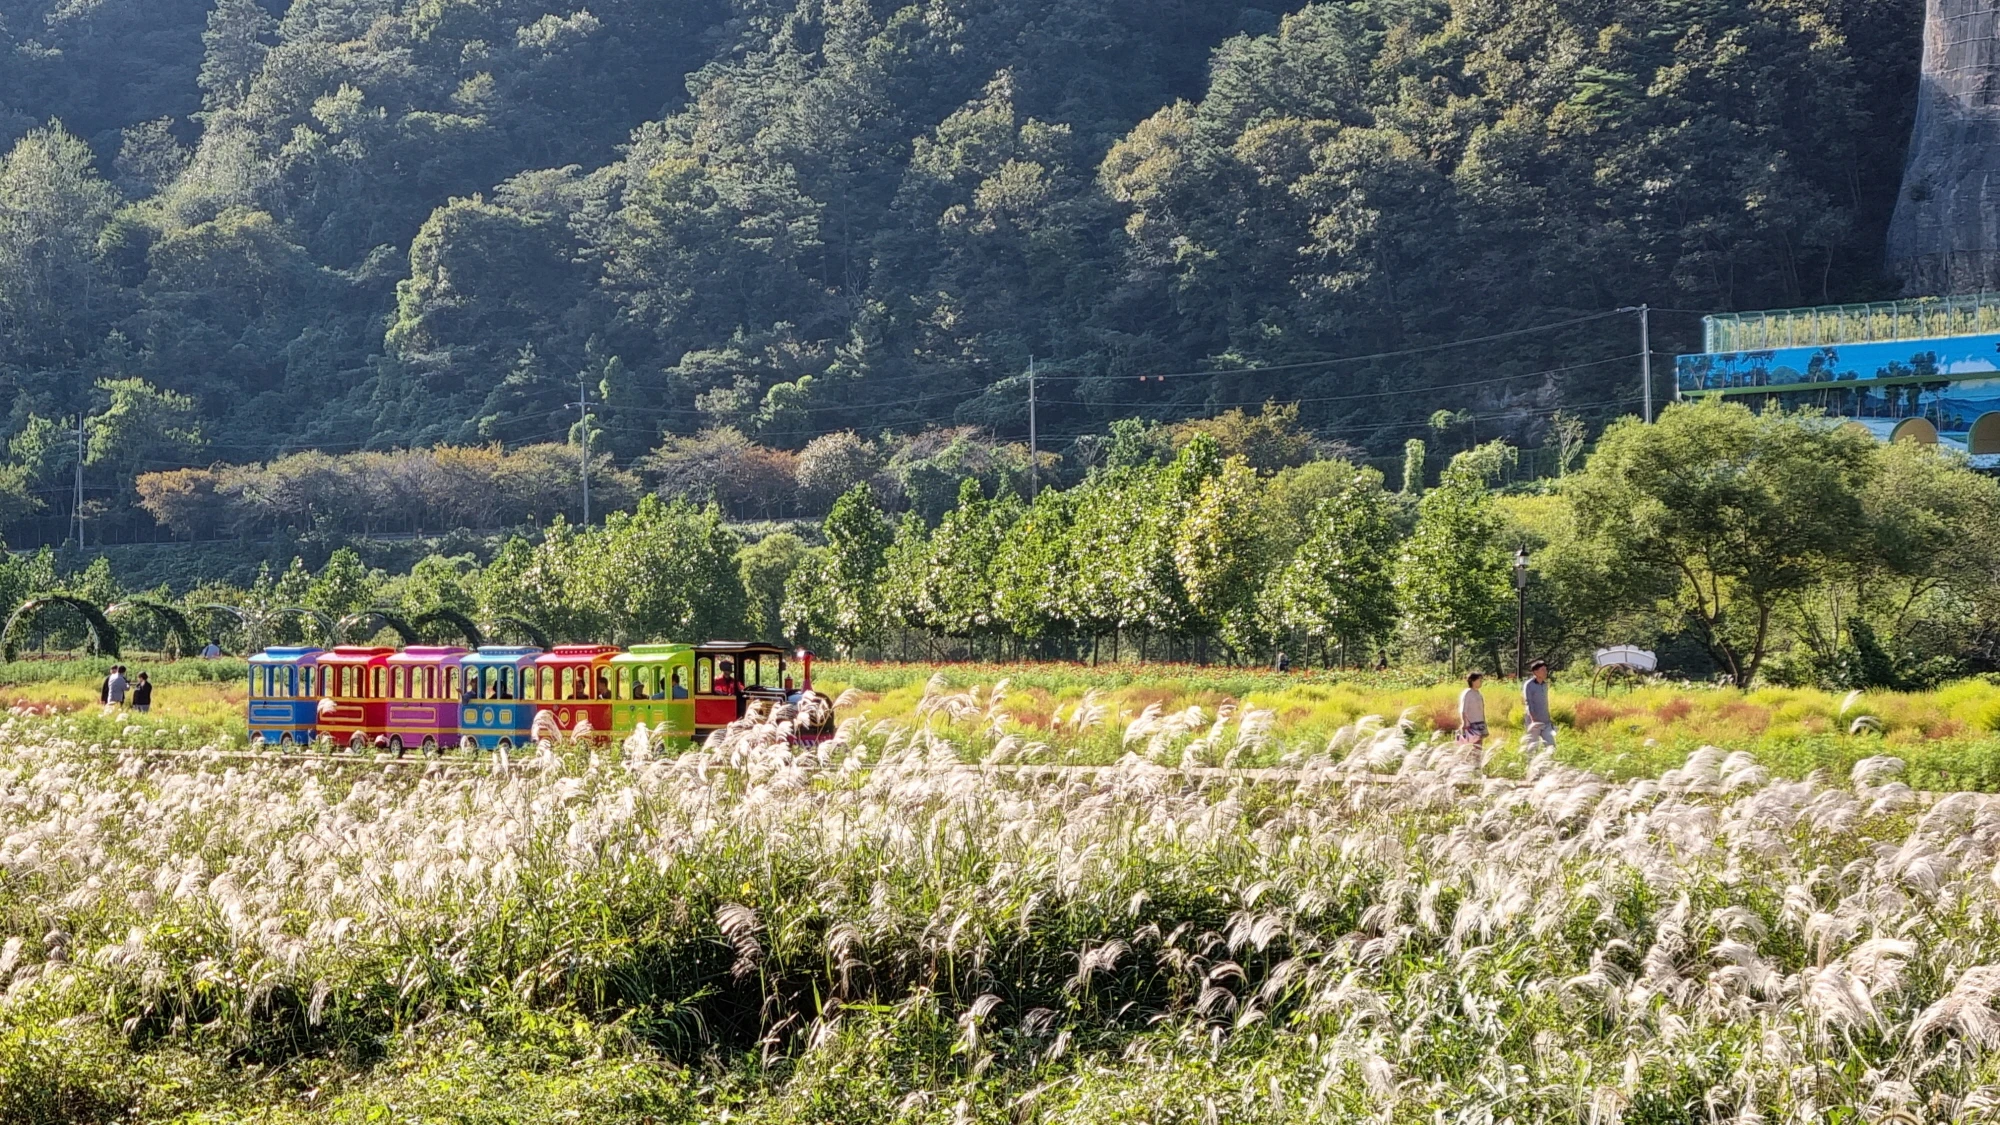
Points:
x=1743 y=509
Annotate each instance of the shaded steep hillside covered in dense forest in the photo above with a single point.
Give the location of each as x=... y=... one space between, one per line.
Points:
x=235 y=231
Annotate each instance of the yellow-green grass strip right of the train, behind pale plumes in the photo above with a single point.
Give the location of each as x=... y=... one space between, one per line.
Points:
x=1949 y=738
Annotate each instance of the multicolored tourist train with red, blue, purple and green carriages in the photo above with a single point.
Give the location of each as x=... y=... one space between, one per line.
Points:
x=433 y=698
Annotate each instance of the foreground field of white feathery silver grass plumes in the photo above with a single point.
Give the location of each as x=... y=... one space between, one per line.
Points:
x=869 y=934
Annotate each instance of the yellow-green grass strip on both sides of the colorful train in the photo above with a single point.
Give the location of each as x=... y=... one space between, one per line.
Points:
x=1949 y=738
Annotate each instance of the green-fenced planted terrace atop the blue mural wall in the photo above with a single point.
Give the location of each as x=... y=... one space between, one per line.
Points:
x=1917 y=319
